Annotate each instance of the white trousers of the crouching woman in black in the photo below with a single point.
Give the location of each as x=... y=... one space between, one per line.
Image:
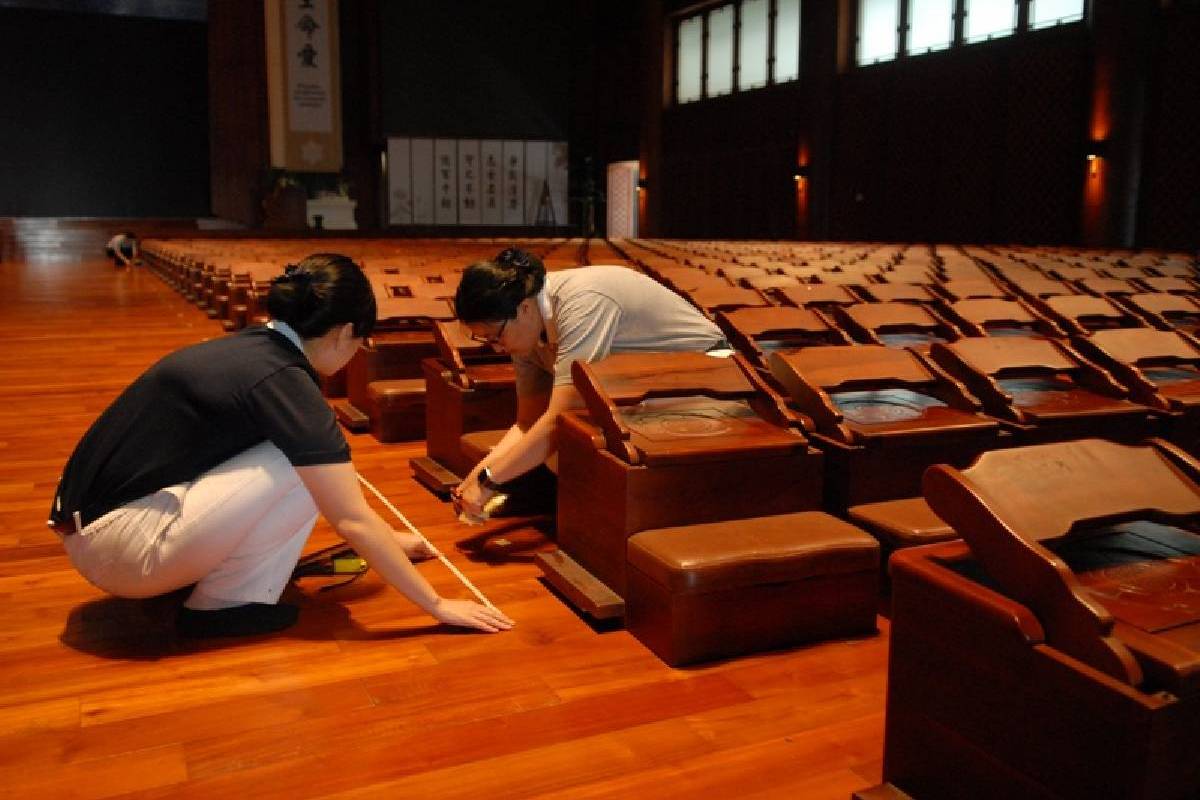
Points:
x=236 y=532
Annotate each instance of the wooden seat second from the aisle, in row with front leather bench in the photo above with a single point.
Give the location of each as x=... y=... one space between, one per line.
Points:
x=883 y=416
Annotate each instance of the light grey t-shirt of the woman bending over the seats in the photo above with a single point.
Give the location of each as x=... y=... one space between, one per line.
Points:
x=595 y=311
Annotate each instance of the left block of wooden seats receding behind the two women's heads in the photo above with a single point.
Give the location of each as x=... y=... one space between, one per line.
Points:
x=415 y=282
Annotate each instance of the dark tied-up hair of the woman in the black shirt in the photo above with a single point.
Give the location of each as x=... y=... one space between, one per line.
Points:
x=322 y=292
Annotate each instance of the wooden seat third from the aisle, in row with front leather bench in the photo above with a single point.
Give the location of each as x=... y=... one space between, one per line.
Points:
x=1045 y=389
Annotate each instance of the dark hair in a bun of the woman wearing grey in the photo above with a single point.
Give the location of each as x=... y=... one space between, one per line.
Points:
x=493 y=291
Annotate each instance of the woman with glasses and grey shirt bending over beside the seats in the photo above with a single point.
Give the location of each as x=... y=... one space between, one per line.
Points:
x=549 y=322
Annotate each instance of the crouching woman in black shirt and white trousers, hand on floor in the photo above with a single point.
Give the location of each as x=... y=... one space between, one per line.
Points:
x=212 y=467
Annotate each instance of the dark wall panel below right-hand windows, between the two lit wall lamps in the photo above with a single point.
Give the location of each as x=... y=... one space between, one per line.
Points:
x=976 y=145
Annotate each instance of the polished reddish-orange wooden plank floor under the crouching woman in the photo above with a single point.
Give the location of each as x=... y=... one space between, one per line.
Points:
x=365 y=697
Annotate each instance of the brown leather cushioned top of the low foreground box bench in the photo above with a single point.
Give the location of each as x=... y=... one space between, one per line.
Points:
x=749 y=552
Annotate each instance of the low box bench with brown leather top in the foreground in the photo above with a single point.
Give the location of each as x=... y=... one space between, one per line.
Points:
x=730 y=588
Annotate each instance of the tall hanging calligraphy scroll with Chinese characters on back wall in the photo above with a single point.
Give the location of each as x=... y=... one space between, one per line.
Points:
x=304 y=100
